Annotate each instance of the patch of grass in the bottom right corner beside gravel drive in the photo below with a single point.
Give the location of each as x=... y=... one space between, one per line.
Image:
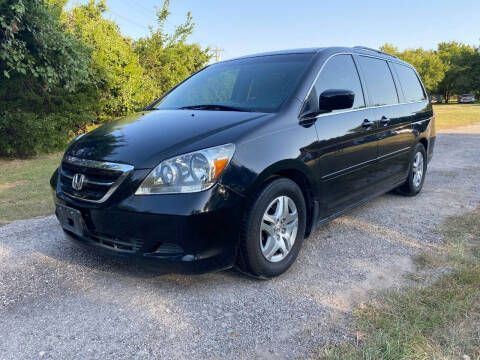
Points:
x=439 y=321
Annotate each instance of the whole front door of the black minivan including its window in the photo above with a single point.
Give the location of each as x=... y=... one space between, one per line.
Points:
x=347 y=141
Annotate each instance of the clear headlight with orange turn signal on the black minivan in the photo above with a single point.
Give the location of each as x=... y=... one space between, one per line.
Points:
x=187 y=173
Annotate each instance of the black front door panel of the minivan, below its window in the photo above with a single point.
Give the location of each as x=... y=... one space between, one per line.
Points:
x=347 y=152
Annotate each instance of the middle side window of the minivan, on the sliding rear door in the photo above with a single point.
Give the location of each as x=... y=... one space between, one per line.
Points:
x=378 y=78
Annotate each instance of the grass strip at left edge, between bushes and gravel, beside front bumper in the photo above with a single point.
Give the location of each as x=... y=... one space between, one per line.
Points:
x=24 y=187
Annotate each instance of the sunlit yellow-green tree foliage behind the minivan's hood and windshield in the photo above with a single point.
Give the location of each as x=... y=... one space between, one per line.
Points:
x=130 y=74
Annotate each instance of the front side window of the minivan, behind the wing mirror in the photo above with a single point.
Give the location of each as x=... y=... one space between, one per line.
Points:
x=338 y=73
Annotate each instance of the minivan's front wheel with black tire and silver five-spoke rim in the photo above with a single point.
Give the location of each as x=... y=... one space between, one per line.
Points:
x=263 y=230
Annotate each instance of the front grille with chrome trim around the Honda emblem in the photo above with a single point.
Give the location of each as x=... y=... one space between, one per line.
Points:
x=99 y=179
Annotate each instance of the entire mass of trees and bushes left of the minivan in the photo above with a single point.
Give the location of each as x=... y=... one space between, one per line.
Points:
x=62 y=70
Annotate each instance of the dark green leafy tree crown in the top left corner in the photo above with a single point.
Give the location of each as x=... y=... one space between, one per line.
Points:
x=36 y=49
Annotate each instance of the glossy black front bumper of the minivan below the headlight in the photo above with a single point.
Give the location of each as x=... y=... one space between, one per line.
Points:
x=182 y=233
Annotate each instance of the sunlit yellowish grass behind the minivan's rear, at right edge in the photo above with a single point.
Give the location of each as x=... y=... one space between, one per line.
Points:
x=450 y=116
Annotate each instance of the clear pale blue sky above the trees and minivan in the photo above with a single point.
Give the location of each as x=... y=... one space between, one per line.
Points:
x=250 y=26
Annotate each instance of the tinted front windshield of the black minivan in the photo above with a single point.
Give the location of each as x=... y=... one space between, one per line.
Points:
x=258 y=84
